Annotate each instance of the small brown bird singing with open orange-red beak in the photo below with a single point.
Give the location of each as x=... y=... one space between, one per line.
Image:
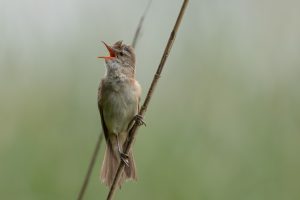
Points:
x=118 y=103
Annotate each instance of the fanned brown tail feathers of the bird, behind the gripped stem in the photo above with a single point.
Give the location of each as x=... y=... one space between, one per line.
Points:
x=110 y=166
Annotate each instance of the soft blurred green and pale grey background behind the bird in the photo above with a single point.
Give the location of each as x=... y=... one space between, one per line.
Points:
x=224 y=122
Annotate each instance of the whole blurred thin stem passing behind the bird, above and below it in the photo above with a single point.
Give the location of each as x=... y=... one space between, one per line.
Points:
x=100 y=138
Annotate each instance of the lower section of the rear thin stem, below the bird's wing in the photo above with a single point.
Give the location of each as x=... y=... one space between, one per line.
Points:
x=91 y=166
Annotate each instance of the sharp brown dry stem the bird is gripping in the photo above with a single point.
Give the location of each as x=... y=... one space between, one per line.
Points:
x=133 y=130
